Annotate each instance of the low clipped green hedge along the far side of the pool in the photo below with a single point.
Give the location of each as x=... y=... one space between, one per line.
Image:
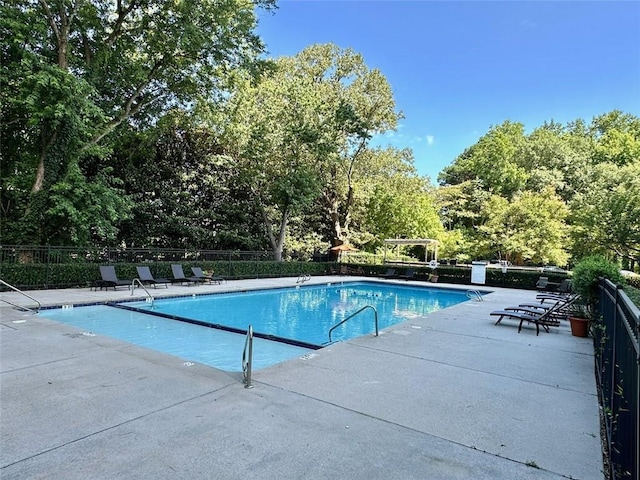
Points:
x=46 y=276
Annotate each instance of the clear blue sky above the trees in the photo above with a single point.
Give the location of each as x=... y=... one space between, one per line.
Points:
x=457 y=68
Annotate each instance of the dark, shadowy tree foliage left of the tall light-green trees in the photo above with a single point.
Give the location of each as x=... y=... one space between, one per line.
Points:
x=187 y=192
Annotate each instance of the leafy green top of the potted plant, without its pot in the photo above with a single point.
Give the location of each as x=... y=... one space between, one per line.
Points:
x=585 y=277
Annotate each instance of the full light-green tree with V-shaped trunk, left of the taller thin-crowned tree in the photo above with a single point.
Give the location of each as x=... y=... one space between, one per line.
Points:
x=272 y=132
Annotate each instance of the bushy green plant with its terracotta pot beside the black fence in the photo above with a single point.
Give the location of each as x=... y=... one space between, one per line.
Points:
x=584 y=282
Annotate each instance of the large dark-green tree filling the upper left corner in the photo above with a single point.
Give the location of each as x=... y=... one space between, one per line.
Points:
x=75 y=70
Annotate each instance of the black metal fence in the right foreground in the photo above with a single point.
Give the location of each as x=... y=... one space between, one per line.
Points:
x=618 y=375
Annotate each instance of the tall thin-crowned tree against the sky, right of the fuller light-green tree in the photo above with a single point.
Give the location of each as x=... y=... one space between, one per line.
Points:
x=362 y=105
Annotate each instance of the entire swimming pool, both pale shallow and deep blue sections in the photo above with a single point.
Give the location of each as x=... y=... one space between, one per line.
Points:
x=298 y=318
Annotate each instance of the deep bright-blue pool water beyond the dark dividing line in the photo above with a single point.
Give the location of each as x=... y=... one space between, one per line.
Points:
x=307 y=313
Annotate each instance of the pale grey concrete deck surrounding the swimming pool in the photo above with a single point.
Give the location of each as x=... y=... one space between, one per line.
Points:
x=446 y=396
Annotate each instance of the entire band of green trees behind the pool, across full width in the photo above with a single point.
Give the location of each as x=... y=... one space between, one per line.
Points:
x=156 y=124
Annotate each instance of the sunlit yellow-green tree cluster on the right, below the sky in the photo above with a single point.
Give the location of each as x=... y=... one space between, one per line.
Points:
x=592 y=169
